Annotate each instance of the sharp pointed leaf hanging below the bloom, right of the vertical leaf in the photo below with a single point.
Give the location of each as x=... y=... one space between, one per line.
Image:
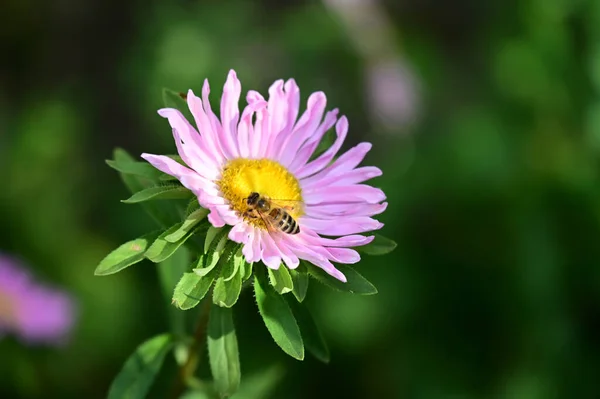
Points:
x=278 y=318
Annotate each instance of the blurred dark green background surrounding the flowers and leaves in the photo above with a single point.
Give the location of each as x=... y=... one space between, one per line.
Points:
x=485 y=118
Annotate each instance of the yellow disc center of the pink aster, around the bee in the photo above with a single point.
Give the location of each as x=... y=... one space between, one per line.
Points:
x=268 y=178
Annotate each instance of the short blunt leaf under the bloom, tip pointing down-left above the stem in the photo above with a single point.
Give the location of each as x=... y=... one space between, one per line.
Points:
x=193 y=287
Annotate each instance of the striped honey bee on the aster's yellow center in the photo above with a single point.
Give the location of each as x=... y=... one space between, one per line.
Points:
x=275 y=216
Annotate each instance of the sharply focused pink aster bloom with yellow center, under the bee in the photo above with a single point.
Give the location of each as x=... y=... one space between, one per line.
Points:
x=270 y=151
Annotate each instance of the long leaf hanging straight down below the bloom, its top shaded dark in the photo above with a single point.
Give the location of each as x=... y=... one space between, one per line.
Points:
x=223 y=351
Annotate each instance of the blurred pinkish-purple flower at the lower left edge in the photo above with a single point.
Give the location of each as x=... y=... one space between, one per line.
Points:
x=35 y=313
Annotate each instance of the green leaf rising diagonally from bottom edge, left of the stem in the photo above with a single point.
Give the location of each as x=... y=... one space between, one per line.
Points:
x=137 y=375
